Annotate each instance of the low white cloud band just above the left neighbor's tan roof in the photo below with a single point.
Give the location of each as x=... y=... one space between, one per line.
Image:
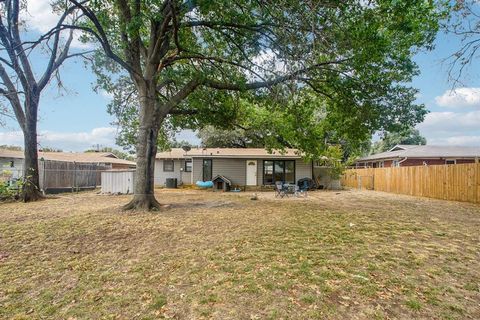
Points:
x=67 y=141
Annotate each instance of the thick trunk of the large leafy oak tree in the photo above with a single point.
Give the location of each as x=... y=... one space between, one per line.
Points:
x=144 y=197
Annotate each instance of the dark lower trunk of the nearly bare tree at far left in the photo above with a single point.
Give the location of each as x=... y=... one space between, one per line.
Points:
x=31 y=186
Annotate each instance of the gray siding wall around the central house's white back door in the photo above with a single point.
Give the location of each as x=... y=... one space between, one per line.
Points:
x=236 y=169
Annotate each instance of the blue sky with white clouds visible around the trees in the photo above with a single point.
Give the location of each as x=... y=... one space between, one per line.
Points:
x=76 y=119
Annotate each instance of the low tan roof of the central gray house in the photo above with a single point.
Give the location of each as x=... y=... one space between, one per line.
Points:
x=245 y=153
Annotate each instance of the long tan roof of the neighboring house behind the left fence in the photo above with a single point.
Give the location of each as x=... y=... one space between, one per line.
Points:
x=80 y=157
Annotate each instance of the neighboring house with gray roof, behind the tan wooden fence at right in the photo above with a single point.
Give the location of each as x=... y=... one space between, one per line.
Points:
x=417 y=155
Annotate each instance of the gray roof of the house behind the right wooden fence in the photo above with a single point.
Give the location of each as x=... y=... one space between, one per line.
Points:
x=415 y=151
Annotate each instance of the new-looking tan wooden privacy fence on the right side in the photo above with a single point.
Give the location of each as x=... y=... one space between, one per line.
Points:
x=458 y=182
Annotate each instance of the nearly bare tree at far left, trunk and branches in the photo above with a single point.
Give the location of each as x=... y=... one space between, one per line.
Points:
x=22 y=82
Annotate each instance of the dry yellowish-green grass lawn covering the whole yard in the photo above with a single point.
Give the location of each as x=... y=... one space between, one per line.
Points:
x=334 y=255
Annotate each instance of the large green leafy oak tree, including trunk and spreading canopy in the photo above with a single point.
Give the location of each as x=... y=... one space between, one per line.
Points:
x=294 y=64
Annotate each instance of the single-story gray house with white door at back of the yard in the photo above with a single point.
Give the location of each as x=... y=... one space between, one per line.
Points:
x=243 y=167
